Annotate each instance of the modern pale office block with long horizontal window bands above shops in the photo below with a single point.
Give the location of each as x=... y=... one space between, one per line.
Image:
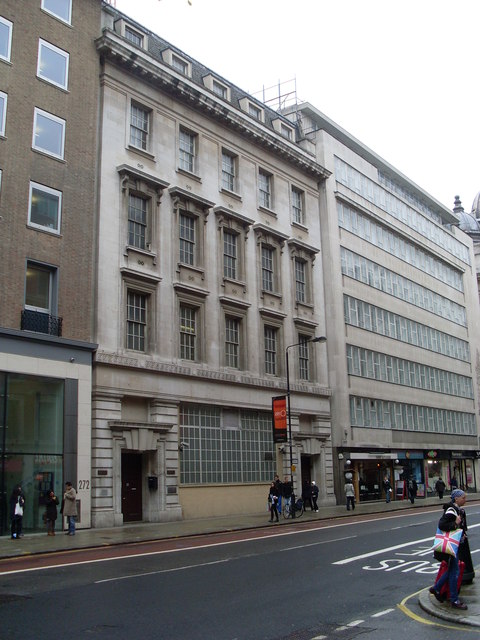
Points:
x=403 y=322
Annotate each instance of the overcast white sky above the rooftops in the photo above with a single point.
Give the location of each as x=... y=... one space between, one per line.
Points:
x=402 y=76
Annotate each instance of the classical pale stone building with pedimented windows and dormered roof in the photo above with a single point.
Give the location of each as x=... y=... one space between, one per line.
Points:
x=209 y=267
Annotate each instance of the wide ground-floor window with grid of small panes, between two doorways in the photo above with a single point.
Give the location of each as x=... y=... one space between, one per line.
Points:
x=221 y=449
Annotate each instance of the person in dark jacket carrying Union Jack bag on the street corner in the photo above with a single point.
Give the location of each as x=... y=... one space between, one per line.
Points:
x=453 y=517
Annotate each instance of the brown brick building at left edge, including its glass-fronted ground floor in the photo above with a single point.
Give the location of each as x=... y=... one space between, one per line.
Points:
x=48 y=114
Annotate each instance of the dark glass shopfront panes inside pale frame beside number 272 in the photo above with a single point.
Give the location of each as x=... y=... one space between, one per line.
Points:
x=31 y=443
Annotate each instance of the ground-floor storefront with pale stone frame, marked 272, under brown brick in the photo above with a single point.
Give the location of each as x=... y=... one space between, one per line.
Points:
x=45 y=409
